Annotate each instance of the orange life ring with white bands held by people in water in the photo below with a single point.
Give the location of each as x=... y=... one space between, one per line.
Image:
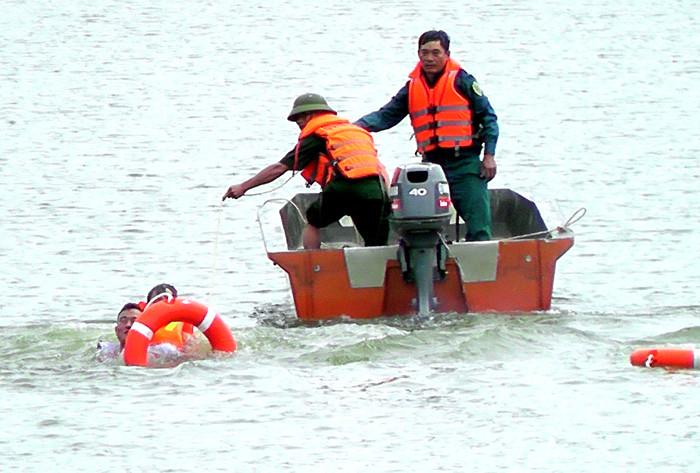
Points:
x=176 y=310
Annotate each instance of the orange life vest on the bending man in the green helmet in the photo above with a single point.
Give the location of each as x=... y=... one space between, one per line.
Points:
x=351 y=150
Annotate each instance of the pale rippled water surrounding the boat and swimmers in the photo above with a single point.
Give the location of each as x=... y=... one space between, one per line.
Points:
x=123 y=123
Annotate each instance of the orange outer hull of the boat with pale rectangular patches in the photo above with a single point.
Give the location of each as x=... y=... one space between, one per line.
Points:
x=367 y=282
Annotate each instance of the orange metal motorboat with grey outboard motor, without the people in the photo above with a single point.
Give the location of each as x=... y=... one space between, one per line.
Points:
x=425 y=268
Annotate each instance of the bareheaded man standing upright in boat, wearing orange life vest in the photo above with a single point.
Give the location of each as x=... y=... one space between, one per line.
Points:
x=451 y=119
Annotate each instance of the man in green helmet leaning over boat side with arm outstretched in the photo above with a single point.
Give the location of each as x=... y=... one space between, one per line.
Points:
x=342 y=159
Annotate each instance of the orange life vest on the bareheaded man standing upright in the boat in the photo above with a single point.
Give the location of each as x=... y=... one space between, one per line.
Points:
x=440 y=116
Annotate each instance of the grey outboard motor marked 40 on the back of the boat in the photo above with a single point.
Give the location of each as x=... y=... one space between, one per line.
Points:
x=421 y=213
